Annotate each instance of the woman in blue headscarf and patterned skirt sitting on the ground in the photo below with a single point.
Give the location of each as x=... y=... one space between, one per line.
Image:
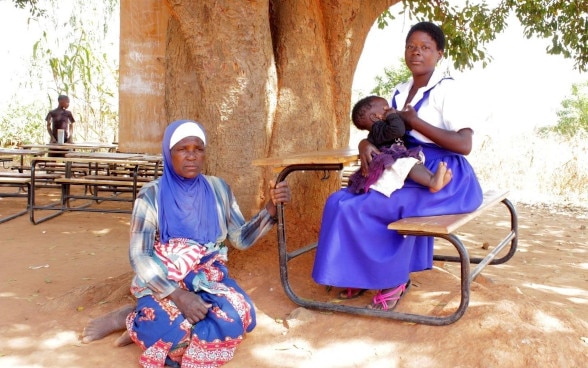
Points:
x=189 y=311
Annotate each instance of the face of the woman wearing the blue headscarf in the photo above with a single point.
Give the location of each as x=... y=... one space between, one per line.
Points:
x=188 y=157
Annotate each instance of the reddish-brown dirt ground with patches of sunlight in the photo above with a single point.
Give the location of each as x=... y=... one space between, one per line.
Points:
x=529 y=312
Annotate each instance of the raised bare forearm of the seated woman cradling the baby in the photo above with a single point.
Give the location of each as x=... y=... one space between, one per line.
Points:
x=458 y=142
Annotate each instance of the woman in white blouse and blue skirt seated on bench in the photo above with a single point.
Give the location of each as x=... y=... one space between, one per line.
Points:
x=355 y=249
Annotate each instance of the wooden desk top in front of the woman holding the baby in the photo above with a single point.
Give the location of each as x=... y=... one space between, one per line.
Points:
x=334 y=156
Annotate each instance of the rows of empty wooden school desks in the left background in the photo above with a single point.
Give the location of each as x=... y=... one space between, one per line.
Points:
x=96 y=172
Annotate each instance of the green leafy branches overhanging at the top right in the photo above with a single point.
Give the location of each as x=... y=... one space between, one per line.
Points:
x=470 y=27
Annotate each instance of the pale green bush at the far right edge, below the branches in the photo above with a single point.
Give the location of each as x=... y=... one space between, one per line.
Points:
x=573 y=115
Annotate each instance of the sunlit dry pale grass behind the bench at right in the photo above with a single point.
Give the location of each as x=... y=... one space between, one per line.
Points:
x=546 y=170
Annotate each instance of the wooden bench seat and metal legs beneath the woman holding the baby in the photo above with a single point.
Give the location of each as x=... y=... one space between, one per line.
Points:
x=445 y=227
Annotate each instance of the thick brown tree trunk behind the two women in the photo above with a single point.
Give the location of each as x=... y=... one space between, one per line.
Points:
x=265 y=79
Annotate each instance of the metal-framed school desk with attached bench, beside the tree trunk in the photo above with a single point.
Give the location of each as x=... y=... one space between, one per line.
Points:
x=346 y=162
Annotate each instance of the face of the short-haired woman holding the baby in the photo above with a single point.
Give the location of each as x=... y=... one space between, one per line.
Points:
x=421 y=54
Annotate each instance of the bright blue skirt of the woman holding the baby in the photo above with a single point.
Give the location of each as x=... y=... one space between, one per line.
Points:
x=356 y=249
